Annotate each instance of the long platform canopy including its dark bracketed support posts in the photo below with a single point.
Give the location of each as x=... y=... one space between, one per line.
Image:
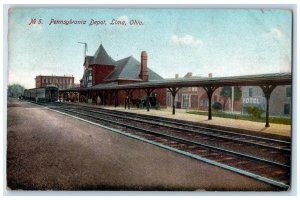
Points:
x=267 y=82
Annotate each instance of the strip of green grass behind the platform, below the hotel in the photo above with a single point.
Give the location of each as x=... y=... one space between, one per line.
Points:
x=275 y=120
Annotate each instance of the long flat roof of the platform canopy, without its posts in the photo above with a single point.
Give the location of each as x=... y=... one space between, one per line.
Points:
x=247 y=80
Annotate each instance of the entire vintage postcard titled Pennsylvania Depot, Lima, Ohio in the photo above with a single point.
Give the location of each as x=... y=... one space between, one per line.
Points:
x=141 y=99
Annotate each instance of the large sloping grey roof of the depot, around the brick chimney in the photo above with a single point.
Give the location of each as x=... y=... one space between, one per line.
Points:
x=129 y=69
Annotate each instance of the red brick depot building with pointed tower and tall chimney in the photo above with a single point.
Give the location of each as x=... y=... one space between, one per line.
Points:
x=102 y=70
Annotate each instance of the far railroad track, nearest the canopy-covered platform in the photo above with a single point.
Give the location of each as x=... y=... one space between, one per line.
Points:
x=267 y=146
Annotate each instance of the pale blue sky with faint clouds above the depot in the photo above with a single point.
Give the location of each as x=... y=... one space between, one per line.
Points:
x=225 y=42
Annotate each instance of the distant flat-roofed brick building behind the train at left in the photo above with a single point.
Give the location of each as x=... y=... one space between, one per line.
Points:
x=62 y=82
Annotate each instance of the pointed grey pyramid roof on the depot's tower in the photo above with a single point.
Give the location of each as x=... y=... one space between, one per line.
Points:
x=101 y=57
